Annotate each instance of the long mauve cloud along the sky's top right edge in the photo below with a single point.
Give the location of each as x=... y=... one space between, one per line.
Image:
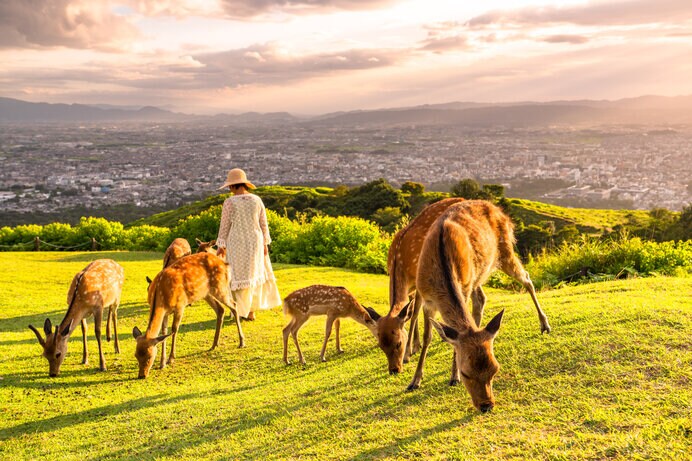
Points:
x=628 y=12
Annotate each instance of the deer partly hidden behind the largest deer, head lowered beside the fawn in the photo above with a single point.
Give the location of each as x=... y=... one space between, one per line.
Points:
x=402 y=265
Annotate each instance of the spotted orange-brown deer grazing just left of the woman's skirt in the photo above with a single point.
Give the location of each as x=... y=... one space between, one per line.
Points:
x=188 y=280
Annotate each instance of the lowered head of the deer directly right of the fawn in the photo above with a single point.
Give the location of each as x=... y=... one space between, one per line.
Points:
x=391 y=335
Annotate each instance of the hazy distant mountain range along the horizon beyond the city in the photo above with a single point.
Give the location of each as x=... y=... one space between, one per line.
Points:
x=645 y=110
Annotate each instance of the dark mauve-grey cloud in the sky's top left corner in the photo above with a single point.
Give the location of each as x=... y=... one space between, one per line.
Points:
x=66 y=23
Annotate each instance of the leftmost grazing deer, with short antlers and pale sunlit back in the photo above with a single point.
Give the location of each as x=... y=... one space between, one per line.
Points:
x=94 y=289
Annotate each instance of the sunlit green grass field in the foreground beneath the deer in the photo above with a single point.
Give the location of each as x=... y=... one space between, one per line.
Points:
x=613 y=380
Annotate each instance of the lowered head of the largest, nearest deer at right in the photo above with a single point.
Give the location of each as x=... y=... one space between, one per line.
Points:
x=474 y=359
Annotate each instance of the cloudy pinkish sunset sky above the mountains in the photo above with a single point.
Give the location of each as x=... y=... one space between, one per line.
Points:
x=318 y=56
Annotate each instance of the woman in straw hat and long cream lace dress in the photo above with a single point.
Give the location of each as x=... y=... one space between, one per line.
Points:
x=245 y=236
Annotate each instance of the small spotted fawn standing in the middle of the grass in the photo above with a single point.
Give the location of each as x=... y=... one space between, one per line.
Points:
x=334 y=302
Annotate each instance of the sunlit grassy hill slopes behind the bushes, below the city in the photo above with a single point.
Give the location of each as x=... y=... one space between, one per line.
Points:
x=531 y=212
